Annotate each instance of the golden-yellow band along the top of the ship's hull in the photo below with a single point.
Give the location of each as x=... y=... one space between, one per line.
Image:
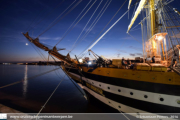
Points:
x=130 y=74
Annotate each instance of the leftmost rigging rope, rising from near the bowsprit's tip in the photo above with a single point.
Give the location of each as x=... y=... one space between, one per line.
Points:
x=61 y=17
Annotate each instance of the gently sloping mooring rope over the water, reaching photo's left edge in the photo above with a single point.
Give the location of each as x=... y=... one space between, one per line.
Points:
x=27 y=78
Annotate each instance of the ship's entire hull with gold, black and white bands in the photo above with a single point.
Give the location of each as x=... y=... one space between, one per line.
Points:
x=131 y=95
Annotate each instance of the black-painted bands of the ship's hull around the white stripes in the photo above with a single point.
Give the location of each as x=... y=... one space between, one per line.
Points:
x=145 y=106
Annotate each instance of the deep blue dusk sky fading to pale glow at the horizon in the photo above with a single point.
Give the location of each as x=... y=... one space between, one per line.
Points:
x=35 y=16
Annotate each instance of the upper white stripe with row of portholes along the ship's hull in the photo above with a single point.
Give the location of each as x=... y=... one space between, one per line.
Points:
x=169 y=100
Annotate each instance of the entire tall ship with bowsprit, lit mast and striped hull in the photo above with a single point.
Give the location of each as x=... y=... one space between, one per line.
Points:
x=147 y=85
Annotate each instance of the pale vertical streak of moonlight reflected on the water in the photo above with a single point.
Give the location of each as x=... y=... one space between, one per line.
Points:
x=25 y=82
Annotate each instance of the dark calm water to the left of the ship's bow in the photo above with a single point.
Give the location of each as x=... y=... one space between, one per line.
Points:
x=29 y=96
